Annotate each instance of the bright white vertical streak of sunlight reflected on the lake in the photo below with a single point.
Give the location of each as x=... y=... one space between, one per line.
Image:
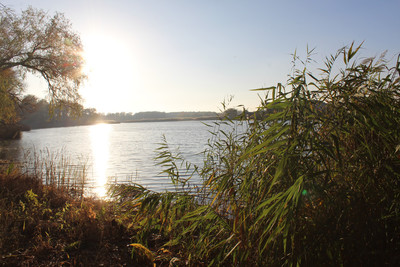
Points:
x=99 y=136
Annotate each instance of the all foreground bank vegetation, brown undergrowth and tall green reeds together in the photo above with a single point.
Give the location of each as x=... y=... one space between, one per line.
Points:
x=307 y=184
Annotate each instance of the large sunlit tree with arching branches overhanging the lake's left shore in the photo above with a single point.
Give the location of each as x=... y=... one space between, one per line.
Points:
x=34 y=42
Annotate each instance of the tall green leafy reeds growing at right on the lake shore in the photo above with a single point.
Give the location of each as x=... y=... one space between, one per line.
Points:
x=313 y=181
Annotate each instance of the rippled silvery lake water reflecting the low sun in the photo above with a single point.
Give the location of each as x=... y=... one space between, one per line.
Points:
x=114 y=152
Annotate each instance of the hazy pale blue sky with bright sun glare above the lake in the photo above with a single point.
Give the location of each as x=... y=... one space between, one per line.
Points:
x=190 y=55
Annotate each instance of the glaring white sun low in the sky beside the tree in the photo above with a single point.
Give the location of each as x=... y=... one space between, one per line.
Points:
x=111 y=72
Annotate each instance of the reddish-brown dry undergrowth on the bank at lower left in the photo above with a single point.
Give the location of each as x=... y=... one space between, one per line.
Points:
x=45 y=226
